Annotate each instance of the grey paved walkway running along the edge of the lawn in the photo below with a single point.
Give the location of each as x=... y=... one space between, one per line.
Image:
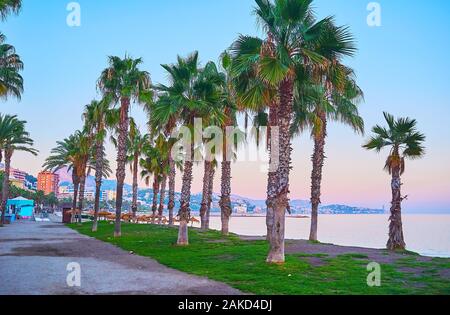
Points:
x=34 y=257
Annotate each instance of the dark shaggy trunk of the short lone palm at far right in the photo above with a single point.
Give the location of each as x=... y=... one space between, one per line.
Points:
x=396 y=239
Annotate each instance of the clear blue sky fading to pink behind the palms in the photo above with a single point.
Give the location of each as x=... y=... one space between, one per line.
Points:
x=402 y=66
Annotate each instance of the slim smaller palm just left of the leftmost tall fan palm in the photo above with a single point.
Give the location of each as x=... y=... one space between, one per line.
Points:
x=100 y=118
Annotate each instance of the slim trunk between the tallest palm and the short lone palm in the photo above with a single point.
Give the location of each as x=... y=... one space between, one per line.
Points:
x=318 y=159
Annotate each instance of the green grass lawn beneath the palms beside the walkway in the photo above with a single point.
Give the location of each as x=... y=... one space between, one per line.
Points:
x=241 y=264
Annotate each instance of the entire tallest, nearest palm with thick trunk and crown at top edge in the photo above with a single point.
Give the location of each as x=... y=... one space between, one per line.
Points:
x=292 y=36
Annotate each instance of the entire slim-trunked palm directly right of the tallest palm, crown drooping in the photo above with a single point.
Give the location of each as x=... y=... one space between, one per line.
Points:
x=333 y=95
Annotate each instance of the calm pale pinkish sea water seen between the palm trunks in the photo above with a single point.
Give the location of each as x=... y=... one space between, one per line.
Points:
x=428 y=235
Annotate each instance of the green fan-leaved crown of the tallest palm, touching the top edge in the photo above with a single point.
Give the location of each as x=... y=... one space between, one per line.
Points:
x=296 y=39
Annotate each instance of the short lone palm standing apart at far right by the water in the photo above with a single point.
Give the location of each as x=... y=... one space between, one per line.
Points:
x=404 y=141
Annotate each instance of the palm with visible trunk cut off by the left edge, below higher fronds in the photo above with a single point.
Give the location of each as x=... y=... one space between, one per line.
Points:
x=17 y=140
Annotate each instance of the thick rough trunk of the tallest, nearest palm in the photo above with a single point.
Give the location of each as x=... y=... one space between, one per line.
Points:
x=281 y=202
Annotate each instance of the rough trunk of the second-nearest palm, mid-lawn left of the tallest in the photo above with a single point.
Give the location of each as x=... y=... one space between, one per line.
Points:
x=185 y=211
